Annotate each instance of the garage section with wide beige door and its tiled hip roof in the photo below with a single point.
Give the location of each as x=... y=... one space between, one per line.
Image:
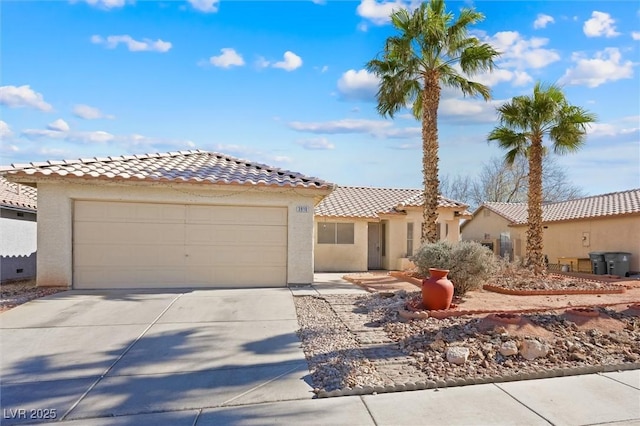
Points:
x=179 y=219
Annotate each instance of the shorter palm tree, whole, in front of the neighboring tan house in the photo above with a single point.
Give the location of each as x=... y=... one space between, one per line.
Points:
x=524 y=124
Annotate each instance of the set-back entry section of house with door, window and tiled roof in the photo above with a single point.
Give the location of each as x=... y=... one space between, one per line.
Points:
x=358 y=229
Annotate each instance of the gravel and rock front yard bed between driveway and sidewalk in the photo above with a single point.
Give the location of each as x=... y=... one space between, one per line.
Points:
x=359 y=344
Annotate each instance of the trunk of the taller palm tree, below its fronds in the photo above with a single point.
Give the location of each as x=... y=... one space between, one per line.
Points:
x=430 y=102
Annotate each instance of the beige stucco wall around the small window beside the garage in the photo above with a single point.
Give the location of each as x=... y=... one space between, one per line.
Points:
x=342 y=257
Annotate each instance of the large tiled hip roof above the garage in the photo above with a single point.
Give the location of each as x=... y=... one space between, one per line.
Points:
x=185 y=166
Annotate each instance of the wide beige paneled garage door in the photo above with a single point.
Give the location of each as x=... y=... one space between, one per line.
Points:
x=141 y=245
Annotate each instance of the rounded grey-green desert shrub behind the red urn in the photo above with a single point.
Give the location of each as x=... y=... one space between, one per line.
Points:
x=470 y=264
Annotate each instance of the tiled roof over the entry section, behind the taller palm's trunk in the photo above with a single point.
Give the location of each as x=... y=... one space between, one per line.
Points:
x=349 y=201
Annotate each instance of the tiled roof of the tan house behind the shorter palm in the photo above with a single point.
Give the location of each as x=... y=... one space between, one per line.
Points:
x=613 y=204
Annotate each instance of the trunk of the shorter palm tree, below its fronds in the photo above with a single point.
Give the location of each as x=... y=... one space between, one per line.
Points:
x=534 y=231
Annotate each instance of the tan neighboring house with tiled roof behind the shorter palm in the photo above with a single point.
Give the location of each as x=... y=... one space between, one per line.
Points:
x=572 y=229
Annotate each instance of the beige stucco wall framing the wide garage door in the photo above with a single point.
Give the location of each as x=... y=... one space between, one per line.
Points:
x=55 y=218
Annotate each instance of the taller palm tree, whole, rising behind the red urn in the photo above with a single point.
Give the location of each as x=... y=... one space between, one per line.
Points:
x=413 y=66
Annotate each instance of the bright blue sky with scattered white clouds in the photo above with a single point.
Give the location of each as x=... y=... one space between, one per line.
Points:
x=283 y=83
